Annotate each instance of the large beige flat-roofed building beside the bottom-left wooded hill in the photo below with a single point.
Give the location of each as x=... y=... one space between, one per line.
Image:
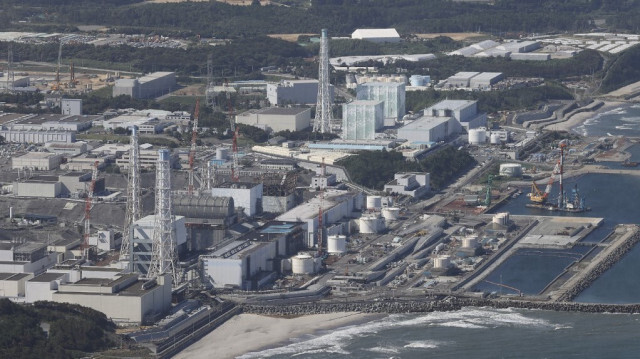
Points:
x=125 y=299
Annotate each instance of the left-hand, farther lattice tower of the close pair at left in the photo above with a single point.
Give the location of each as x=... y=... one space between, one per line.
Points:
x=134 y=208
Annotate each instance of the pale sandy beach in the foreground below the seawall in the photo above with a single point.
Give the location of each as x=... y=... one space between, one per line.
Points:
x=250 y=332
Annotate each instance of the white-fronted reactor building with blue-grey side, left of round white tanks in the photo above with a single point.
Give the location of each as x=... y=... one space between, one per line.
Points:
x=252 y=261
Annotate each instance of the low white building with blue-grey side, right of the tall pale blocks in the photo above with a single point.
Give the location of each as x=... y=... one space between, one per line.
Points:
x=430 y=129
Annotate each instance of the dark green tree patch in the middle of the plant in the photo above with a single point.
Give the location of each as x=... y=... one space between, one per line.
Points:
x=373 y=169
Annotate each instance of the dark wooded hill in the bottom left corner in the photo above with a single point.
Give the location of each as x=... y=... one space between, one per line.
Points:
x=73 y=330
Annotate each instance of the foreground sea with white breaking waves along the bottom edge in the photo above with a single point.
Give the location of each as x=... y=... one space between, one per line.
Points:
x=473 y=333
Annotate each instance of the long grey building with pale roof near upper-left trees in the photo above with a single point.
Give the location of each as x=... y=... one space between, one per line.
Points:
x=149 y=86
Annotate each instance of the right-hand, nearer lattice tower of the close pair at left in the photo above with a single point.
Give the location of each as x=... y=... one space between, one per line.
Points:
x=163 y=248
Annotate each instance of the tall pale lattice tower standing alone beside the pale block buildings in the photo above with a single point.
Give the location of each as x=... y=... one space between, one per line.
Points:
x=322 y=121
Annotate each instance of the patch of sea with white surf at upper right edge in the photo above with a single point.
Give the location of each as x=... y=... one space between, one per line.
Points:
x=624 y=120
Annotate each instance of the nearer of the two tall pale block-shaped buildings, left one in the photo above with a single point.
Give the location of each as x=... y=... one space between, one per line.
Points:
x=361 y=119
